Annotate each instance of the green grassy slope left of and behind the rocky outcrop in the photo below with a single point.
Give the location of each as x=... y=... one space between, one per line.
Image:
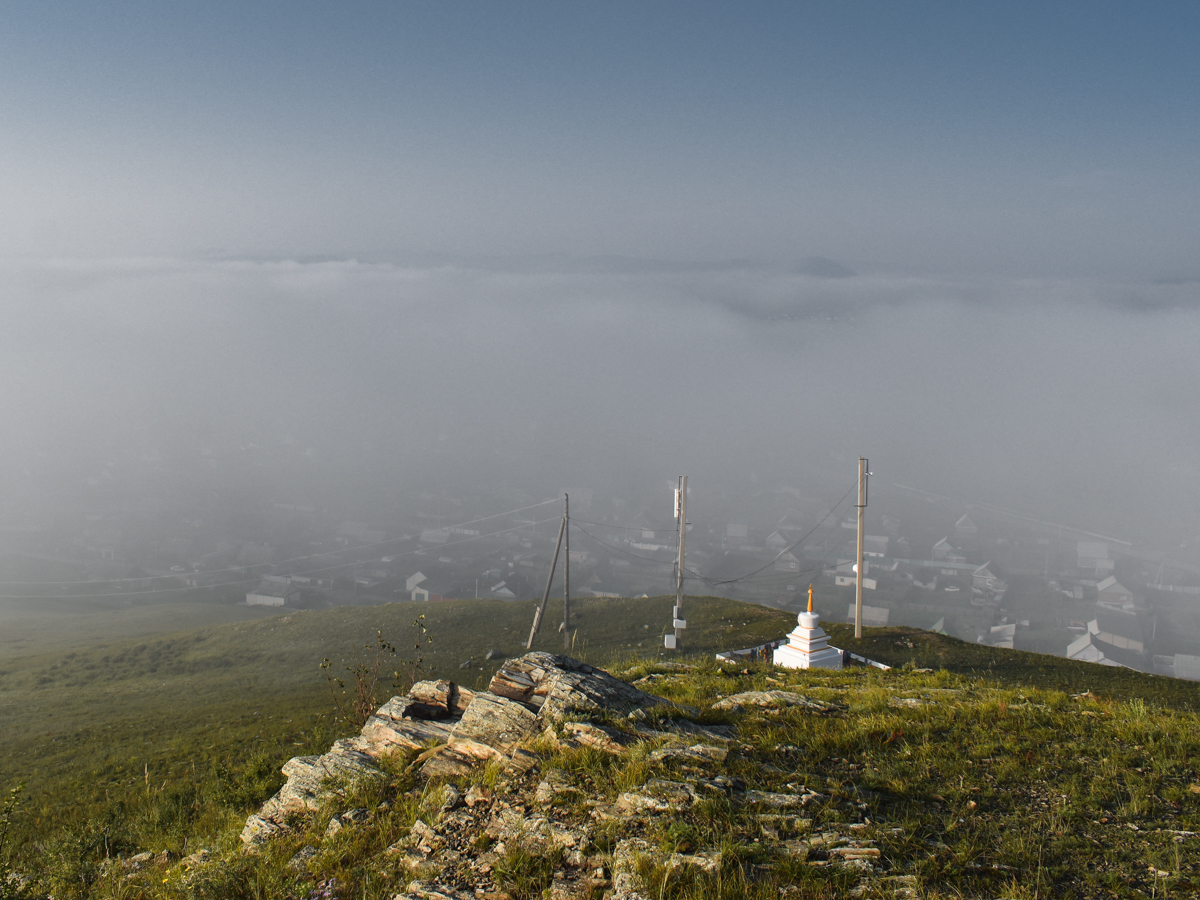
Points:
x=167 y=729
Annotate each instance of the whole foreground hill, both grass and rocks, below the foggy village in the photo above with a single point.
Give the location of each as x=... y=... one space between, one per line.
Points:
x=964 y=771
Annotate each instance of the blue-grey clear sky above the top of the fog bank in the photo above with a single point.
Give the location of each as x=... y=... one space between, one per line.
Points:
x=1009 y=139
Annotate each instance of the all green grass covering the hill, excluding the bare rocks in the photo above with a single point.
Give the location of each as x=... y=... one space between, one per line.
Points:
x=1000 y=783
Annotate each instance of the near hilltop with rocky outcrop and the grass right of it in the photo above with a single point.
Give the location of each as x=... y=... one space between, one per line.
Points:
x=728 y=782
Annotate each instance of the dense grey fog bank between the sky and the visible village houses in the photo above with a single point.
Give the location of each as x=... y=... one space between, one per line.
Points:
x=364 y=385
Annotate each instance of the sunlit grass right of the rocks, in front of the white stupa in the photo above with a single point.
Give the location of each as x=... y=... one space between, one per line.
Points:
x=999 y=790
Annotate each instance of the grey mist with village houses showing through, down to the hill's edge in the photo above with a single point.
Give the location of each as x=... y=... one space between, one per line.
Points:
x=370 y=434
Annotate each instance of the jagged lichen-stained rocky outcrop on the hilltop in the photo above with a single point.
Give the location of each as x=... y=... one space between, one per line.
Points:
x=592 y=838
